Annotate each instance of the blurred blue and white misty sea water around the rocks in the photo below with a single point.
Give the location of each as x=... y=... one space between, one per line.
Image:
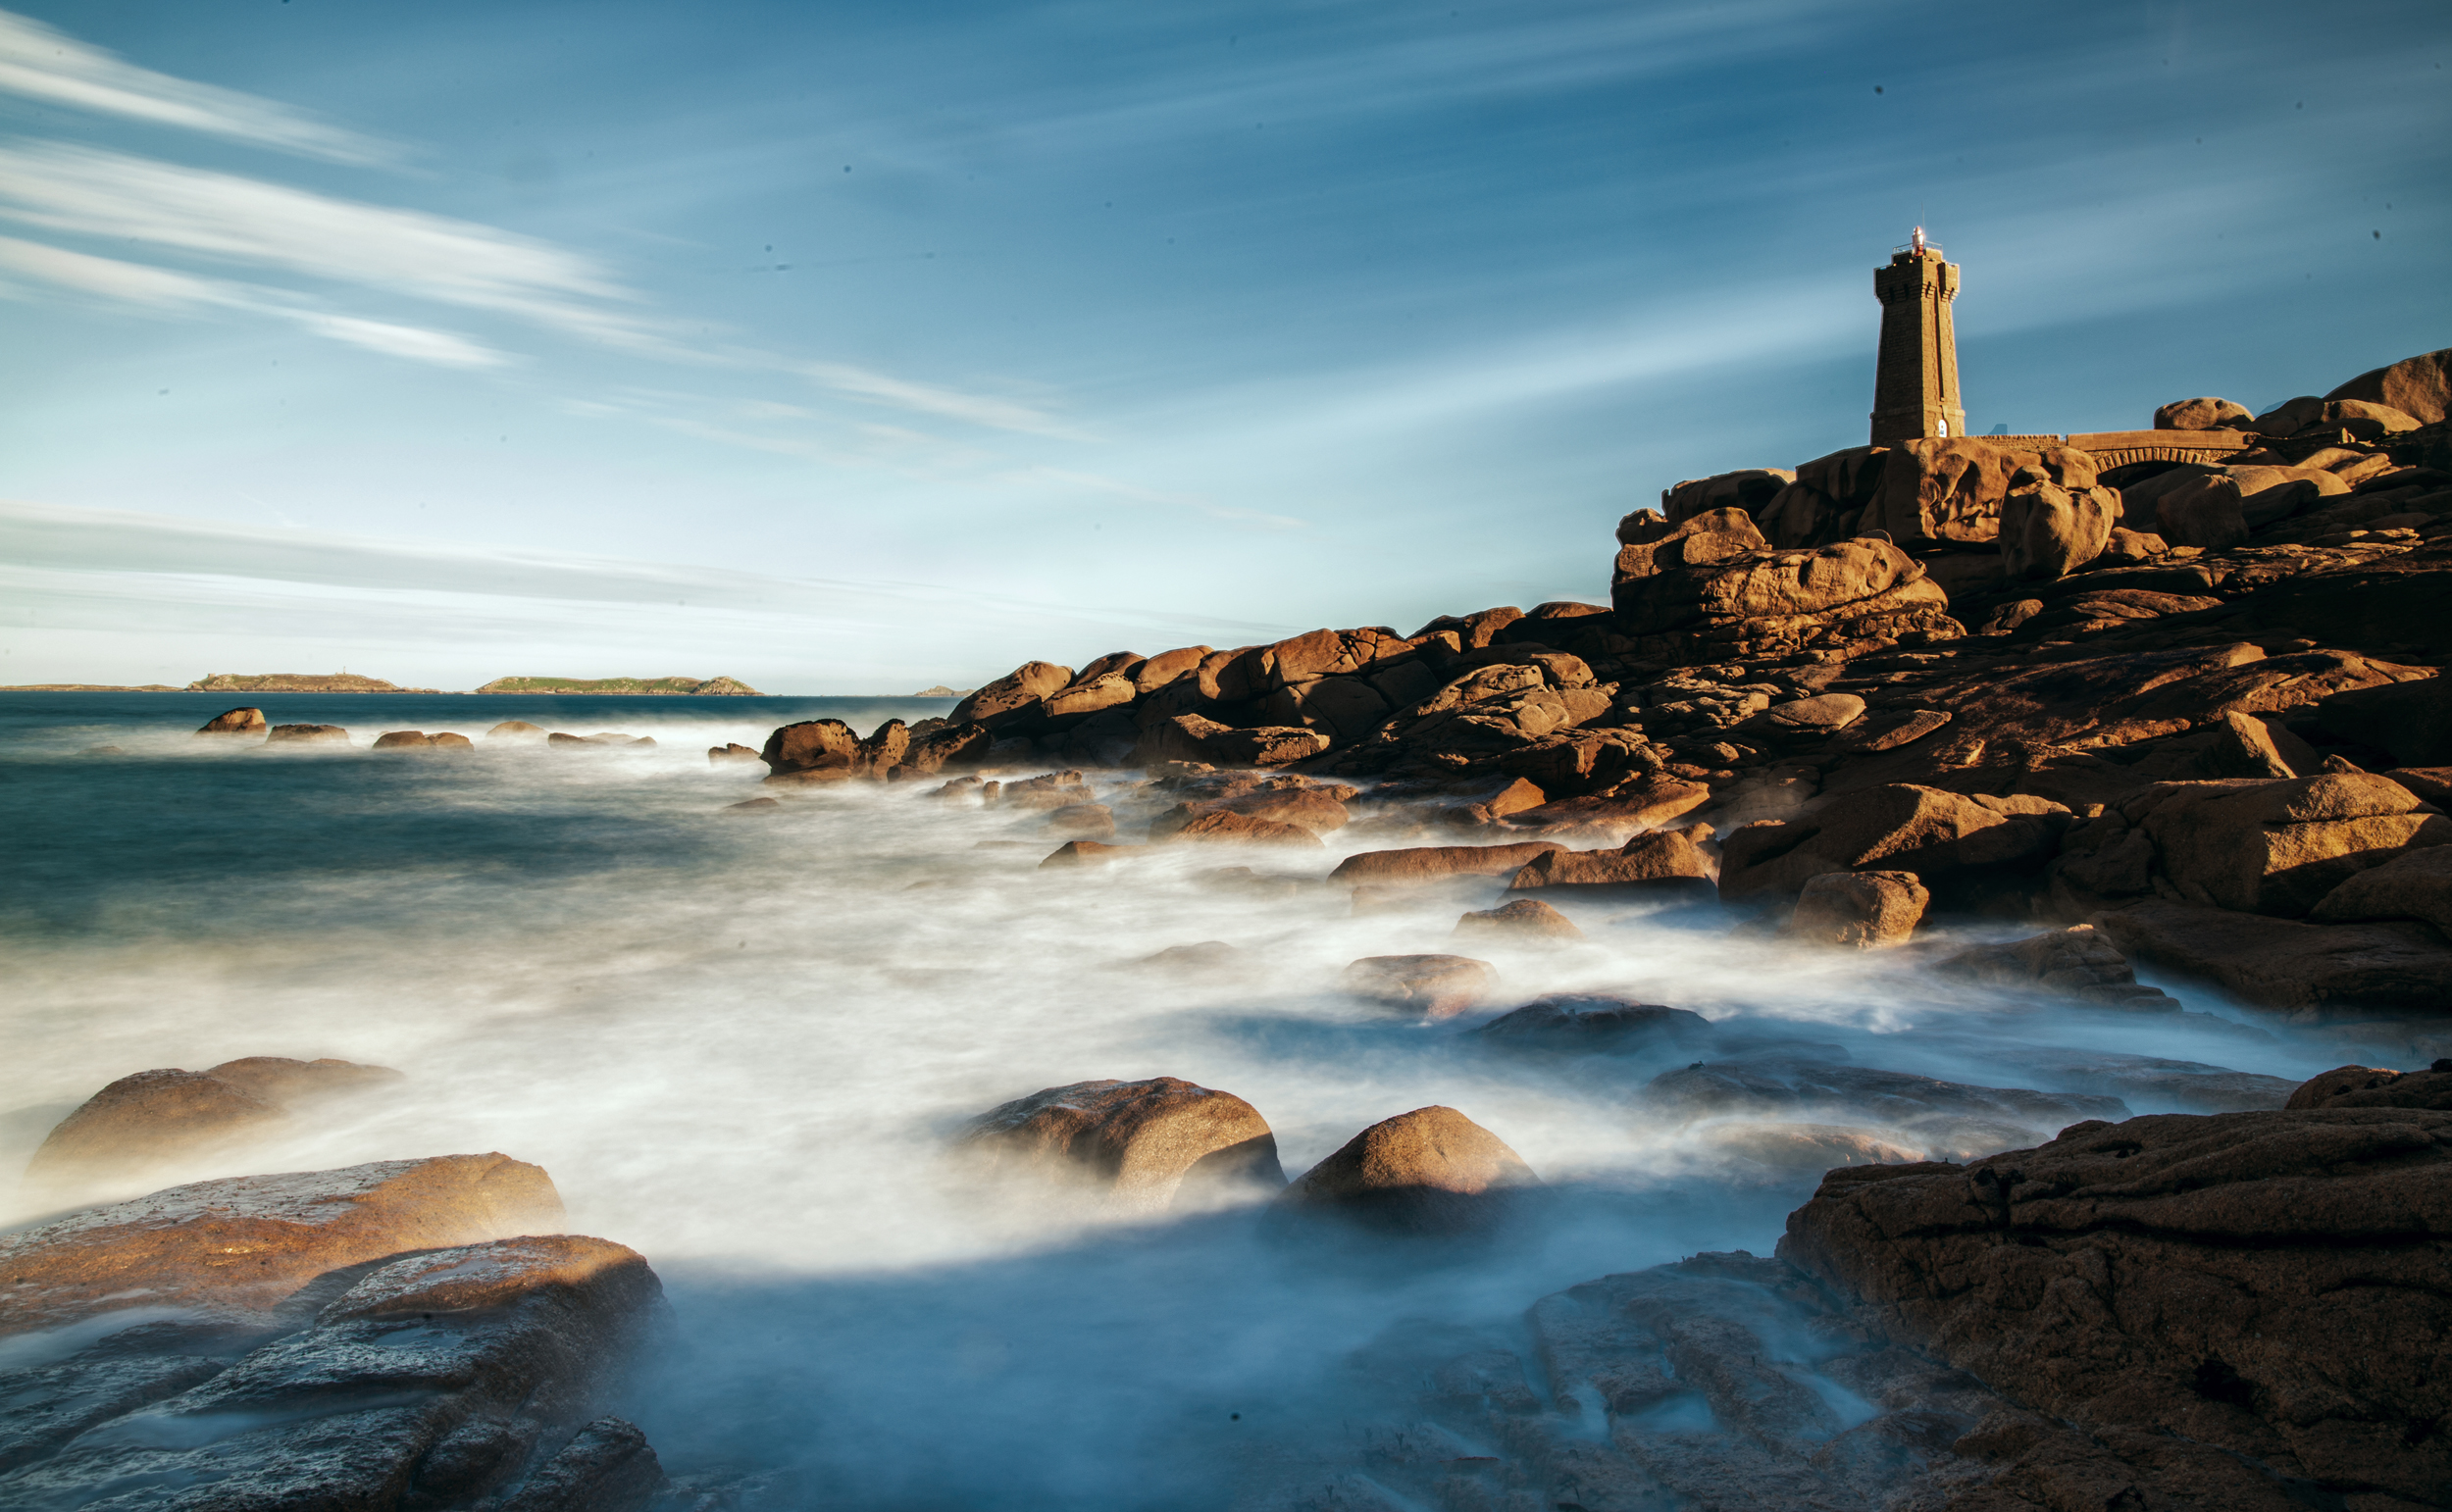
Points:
x=742 y=1043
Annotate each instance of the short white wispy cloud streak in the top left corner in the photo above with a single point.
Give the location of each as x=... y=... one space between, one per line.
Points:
x=45 y=65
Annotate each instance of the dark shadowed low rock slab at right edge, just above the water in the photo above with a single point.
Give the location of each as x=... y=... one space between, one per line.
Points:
x=2318 y=969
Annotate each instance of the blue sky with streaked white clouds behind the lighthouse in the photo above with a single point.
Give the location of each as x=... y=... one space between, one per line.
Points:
x=855 y=349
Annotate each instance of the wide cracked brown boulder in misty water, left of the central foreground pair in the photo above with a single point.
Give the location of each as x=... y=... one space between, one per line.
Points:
x=1144 y=1143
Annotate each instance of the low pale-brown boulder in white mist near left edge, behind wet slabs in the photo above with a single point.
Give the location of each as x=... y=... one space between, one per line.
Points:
x=161 y=1121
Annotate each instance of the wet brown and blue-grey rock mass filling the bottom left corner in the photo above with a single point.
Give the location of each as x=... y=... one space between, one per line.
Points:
x=327 y=1339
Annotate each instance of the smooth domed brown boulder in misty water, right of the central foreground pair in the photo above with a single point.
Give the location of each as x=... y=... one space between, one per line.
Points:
x=1421 y=1175
